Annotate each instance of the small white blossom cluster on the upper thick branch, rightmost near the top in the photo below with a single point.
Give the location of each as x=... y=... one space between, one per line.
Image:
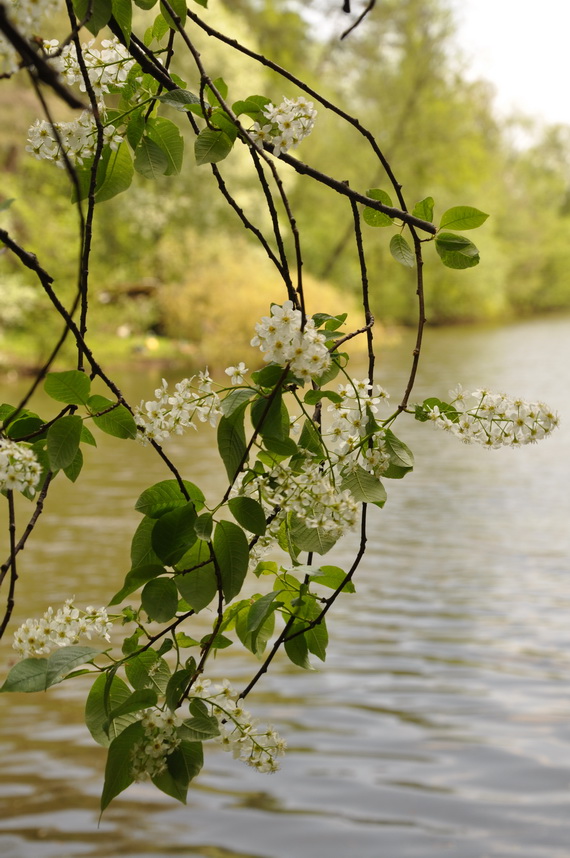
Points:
x=288 y=123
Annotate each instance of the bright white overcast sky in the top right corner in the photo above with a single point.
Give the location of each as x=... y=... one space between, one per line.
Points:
x=523 y=48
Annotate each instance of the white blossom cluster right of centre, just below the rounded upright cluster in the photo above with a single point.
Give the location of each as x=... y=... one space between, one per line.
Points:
x=351 y=415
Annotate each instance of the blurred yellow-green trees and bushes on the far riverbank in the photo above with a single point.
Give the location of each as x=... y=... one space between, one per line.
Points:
x=185 y=257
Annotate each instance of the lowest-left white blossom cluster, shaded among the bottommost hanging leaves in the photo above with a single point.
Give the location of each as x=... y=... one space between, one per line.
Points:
x=159 y=740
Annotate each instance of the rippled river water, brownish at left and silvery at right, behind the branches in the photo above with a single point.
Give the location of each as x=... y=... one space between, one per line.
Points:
x=440 y=722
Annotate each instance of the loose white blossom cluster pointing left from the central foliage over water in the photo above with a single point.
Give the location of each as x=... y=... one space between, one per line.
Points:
x=173 y=413
